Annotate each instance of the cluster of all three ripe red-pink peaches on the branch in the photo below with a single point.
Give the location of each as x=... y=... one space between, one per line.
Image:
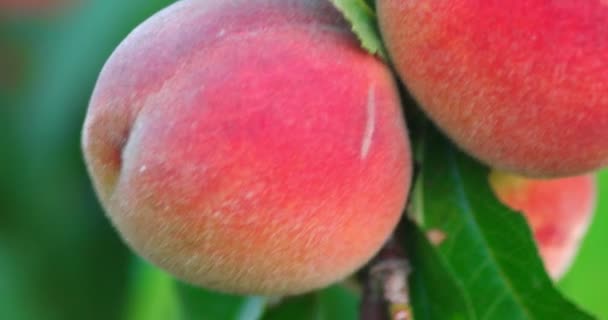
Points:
x=252 y=146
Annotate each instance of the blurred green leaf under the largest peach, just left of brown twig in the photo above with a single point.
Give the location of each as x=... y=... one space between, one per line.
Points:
x=333 y=303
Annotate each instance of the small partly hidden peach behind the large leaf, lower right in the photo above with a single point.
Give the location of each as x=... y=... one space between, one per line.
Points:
x=558 y=211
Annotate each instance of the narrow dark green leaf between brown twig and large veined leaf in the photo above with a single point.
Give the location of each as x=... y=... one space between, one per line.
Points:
x=436 y=293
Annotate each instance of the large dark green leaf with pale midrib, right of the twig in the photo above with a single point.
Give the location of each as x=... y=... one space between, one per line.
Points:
x=487 y=247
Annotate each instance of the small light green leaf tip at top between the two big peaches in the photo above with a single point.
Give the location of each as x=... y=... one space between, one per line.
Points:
x=362 y=18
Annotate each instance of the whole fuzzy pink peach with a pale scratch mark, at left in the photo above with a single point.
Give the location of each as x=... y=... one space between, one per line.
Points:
x=249 y=146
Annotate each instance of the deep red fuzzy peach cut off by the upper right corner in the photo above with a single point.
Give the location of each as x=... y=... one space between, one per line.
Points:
x=522 y=85
